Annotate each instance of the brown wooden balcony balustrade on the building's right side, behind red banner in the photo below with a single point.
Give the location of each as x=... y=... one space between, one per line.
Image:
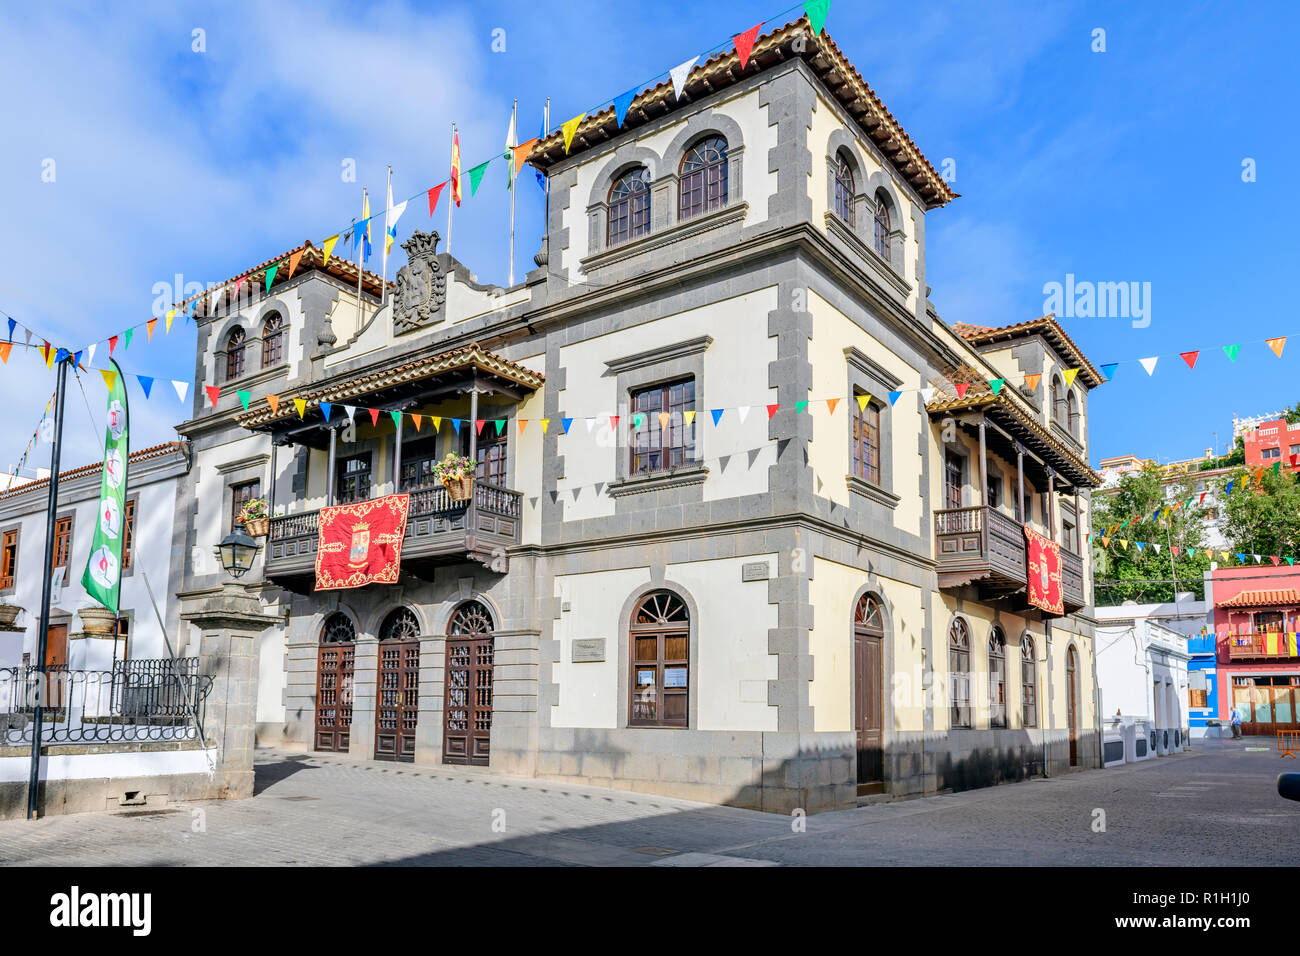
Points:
x=981 y=546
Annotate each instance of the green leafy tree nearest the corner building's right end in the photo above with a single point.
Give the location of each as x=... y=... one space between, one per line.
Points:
x=1143 y=574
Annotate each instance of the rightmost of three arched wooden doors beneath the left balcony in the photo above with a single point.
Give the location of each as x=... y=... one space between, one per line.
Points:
x=467 y=697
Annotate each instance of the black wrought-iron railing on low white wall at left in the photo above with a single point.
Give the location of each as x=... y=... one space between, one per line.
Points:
x=136 y=702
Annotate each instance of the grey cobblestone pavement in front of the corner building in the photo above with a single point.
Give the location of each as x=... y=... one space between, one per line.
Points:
x=1217 y=806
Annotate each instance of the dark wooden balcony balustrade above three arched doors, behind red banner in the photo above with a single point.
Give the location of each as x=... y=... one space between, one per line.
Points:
x=440 y=531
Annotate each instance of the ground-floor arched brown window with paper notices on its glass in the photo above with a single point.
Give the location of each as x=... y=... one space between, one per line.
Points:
x=660 y=654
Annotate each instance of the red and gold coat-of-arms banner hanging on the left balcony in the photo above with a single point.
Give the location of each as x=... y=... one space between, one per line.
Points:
x=361 y=544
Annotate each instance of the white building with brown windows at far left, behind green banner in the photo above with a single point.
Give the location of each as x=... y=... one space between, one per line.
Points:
x=151 y=491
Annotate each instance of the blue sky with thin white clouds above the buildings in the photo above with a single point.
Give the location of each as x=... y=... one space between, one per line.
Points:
x=1115 y=167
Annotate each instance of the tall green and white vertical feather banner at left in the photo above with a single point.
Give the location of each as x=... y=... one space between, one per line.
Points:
x=103 y=576
